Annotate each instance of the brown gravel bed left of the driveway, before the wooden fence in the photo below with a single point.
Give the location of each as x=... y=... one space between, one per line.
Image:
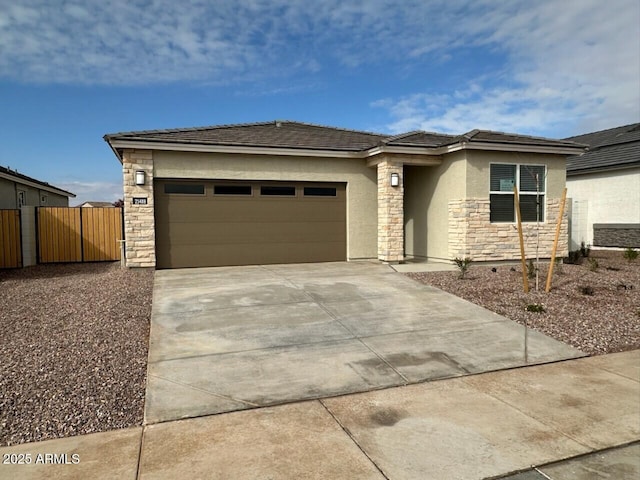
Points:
x=73 y=349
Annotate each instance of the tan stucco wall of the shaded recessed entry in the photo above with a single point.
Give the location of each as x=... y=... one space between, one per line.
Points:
x=428 y=191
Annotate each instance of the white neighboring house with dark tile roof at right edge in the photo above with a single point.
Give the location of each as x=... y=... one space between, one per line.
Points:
x=604 y=185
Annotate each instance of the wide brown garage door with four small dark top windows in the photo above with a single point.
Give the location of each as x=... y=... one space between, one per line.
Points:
x=215 y=223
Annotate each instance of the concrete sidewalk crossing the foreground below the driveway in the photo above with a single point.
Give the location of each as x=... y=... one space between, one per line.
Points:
x=473 y=427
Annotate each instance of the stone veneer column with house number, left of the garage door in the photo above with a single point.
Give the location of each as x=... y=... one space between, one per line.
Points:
x=139 y=223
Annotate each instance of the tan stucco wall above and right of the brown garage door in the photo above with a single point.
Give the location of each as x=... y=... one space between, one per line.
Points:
x=361 y=182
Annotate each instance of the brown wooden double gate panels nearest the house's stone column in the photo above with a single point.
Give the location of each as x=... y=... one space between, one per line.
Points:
x=78 y=234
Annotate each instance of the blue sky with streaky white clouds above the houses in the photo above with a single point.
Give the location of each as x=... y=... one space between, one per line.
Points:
x=71 y=71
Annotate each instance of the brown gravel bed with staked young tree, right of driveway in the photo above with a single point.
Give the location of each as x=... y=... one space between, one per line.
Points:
x=605 y=322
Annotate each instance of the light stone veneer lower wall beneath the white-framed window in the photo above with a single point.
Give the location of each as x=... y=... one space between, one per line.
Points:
x=471 y=234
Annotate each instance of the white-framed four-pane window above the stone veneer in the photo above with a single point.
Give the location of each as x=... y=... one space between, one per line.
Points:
x=528 y=178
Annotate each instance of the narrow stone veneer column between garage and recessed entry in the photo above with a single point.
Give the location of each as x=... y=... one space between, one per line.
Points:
x=390 y=214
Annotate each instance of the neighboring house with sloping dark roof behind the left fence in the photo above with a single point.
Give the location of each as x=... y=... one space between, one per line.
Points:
x=17 y=190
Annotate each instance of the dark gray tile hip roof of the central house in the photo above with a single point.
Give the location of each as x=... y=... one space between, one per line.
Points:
x=287 y=134
